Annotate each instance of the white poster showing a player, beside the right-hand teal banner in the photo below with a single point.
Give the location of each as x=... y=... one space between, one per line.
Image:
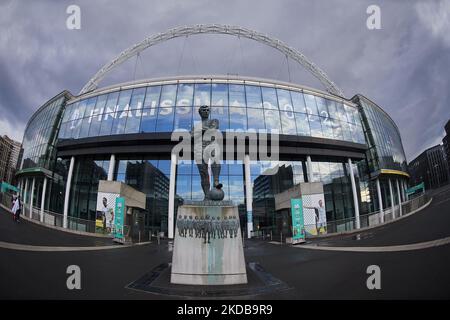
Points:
x=315 y=217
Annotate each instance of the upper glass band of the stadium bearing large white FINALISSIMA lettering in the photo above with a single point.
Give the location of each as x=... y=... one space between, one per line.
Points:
x=171 y=107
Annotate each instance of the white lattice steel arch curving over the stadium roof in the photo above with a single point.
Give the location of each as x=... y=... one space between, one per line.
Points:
x=237 y=31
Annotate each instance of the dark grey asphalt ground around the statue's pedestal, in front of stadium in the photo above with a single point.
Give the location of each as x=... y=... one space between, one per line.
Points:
x=309 y=274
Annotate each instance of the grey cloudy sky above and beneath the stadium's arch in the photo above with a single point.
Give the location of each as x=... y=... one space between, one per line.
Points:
x=404 y=67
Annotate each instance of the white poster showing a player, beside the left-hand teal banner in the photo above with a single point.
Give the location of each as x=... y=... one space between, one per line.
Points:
x=104 y=221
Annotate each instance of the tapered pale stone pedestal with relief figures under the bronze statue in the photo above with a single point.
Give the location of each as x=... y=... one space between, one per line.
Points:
x=208 y=246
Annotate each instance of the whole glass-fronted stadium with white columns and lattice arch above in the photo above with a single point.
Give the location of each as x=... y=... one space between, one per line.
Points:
x=123 y=132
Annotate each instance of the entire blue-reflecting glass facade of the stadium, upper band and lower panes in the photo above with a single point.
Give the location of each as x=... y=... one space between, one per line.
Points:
x=238 y=105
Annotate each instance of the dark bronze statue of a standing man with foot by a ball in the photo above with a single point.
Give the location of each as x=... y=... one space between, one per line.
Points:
x=216 y=193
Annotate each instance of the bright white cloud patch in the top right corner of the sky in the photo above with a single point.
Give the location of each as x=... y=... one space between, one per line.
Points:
x=435 y=16
